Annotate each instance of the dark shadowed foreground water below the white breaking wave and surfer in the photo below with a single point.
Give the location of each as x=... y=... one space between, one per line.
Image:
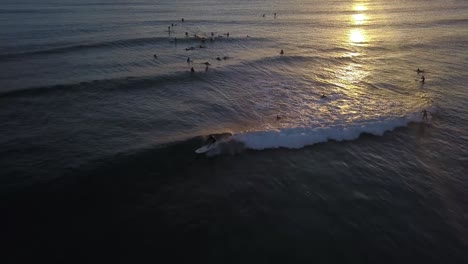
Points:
x=260 y=206
